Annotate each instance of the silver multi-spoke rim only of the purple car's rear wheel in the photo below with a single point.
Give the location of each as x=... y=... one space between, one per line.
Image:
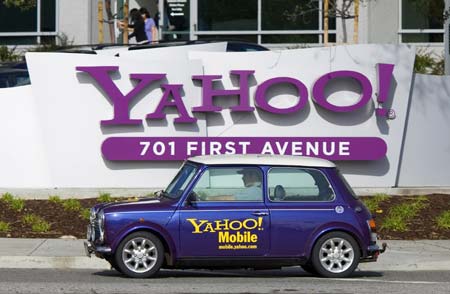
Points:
x=336 y=255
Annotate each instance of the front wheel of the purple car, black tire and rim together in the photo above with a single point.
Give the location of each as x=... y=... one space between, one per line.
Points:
x=140 y=255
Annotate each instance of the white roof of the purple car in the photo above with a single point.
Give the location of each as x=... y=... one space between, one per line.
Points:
x=258 y=159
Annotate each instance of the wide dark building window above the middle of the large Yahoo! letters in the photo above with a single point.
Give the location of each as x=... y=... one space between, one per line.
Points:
x=263 y=21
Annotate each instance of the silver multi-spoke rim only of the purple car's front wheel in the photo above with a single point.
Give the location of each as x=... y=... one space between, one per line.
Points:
x=139 y=255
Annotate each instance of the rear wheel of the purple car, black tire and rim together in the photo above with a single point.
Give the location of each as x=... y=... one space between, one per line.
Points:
x=335 y=255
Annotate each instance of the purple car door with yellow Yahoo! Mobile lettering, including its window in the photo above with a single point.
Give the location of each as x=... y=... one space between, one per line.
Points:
x=219 y=220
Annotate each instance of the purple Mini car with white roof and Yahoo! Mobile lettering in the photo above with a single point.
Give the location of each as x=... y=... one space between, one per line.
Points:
x=240 y=211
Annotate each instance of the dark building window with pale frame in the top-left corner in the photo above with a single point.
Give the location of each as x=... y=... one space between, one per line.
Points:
x=27 y=27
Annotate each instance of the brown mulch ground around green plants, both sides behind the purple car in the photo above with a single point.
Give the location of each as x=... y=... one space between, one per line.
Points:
x=65 y=222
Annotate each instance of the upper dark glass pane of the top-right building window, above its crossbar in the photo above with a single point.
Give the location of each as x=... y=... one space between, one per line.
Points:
x=422 y=14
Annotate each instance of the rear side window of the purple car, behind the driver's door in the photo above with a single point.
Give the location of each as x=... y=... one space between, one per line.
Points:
x=298 y=184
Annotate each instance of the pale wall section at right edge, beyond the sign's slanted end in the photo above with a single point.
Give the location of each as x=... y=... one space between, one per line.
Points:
x=426 y=157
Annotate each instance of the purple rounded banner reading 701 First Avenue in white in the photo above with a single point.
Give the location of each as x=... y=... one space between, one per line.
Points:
x=180 y=148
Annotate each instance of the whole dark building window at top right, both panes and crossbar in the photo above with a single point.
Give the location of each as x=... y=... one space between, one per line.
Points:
x=422 y=21
